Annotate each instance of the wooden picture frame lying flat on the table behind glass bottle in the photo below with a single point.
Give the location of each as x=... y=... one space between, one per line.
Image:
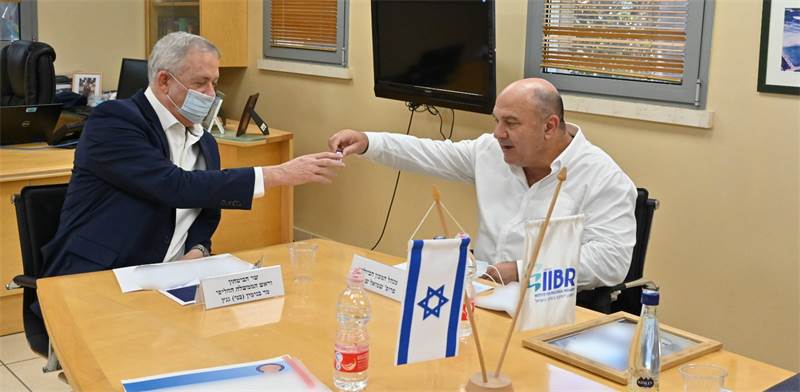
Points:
x=601 y=346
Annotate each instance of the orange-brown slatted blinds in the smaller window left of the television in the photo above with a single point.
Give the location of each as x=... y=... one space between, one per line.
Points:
x=304 y=24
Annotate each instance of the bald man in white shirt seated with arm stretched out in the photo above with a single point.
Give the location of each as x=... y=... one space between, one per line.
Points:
x=514 y=171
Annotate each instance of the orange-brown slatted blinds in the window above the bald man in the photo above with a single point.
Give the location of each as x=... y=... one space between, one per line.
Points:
x=626 y=39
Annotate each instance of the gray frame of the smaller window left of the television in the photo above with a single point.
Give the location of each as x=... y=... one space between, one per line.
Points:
x=339 y=57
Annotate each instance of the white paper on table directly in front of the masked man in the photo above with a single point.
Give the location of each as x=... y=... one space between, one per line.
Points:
x=169 y=275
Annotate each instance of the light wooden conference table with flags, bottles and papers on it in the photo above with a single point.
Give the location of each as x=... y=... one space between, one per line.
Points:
x=102 y=336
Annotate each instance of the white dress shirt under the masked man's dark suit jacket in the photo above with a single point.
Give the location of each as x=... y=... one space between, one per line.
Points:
x=184 y=152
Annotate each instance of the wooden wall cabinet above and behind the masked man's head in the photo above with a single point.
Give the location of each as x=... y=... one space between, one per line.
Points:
x=223 y=22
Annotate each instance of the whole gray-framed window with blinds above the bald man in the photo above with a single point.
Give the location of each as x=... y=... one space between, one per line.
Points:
x=654 y=50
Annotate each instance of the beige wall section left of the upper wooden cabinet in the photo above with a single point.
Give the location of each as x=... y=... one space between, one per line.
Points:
x=93 y=35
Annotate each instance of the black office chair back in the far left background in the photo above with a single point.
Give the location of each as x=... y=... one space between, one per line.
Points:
x=27 y=76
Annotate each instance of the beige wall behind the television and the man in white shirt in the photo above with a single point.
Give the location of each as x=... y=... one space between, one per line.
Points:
x=725 y=242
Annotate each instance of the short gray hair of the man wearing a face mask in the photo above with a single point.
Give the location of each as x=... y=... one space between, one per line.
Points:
x=170 y=51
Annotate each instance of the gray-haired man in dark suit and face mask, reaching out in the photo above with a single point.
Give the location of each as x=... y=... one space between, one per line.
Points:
x=146 y=185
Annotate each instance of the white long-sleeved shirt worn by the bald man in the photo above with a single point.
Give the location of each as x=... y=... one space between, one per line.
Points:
x=595 y=187
